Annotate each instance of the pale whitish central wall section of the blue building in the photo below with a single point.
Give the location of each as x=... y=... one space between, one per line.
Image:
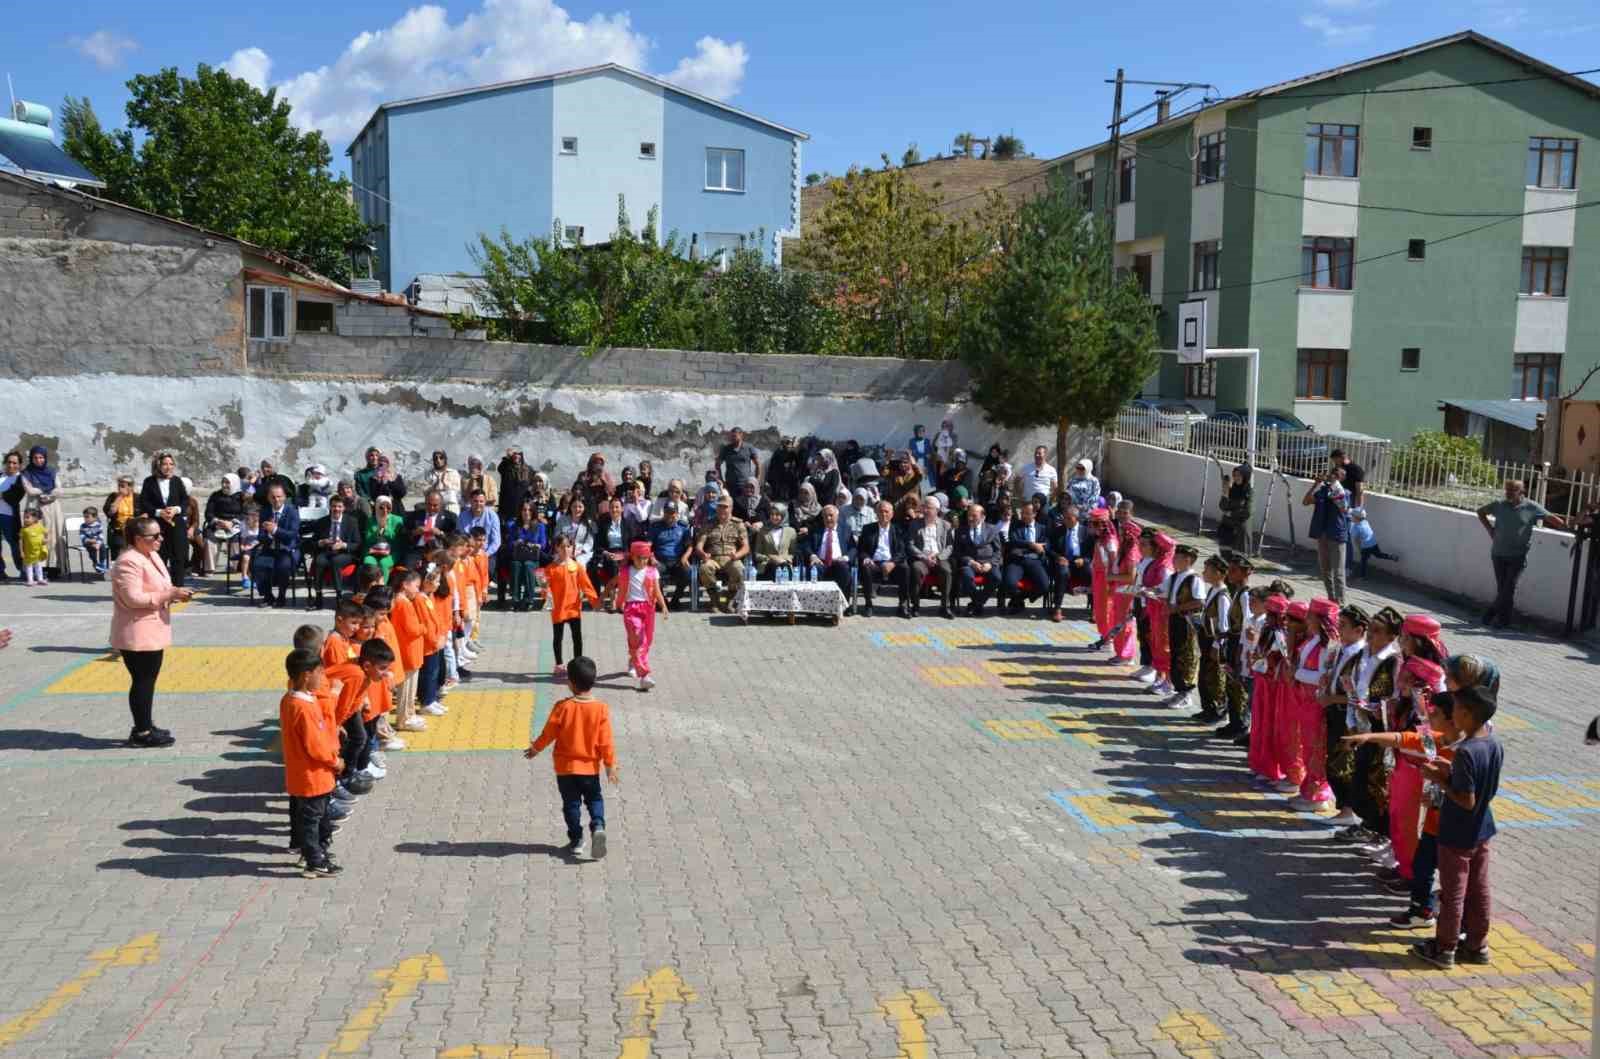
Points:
x=610 y=116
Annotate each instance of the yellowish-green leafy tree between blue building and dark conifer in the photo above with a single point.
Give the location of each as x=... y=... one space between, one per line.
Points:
x=902 y=270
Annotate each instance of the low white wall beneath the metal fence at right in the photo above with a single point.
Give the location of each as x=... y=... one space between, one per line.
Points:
x=1441 y=548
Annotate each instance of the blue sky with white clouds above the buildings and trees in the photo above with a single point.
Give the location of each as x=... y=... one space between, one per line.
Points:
x=858 y=76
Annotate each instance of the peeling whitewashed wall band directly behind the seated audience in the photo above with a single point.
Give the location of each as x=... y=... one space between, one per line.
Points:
x=218 y=423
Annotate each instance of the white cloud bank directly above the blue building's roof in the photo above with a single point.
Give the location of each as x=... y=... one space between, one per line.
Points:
x=423 y=52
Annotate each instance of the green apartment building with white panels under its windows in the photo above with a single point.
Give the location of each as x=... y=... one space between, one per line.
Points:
x=1390 y=234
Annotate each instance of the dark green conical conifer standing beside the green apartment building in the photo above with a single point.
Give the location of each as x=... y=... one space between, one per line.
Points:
x=1055 y=337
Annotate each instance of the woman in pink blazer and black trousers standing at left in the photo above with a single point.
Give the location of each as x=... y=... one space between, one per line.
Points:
x=142 y=625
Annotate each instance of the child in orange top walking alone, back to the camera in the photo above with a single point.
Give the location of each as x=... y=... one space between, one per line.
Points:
x=582 y=730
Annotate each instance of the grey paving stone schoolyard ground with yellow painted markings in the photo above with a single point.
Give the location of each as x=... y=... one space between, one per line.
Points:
x=873 y=841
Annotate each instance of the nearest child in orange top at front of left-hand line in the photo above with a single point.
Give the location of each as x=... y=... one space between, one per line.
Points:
x=311 y=761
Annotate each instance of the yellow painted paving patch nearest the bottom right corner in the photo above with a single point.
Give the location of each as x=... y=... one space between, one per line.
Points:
x=1543 y=1015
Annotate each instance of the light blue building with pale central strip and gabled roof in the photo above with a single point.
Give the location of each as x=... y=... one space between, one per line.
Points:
x=433 y=174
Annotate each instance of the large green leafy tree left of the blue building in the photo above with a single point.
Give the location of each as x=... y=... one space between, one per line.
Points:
x=222 y=154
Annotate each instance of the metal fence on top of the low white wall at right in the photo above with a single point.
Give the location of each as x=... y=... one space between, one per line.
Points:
x=1415 y=473
